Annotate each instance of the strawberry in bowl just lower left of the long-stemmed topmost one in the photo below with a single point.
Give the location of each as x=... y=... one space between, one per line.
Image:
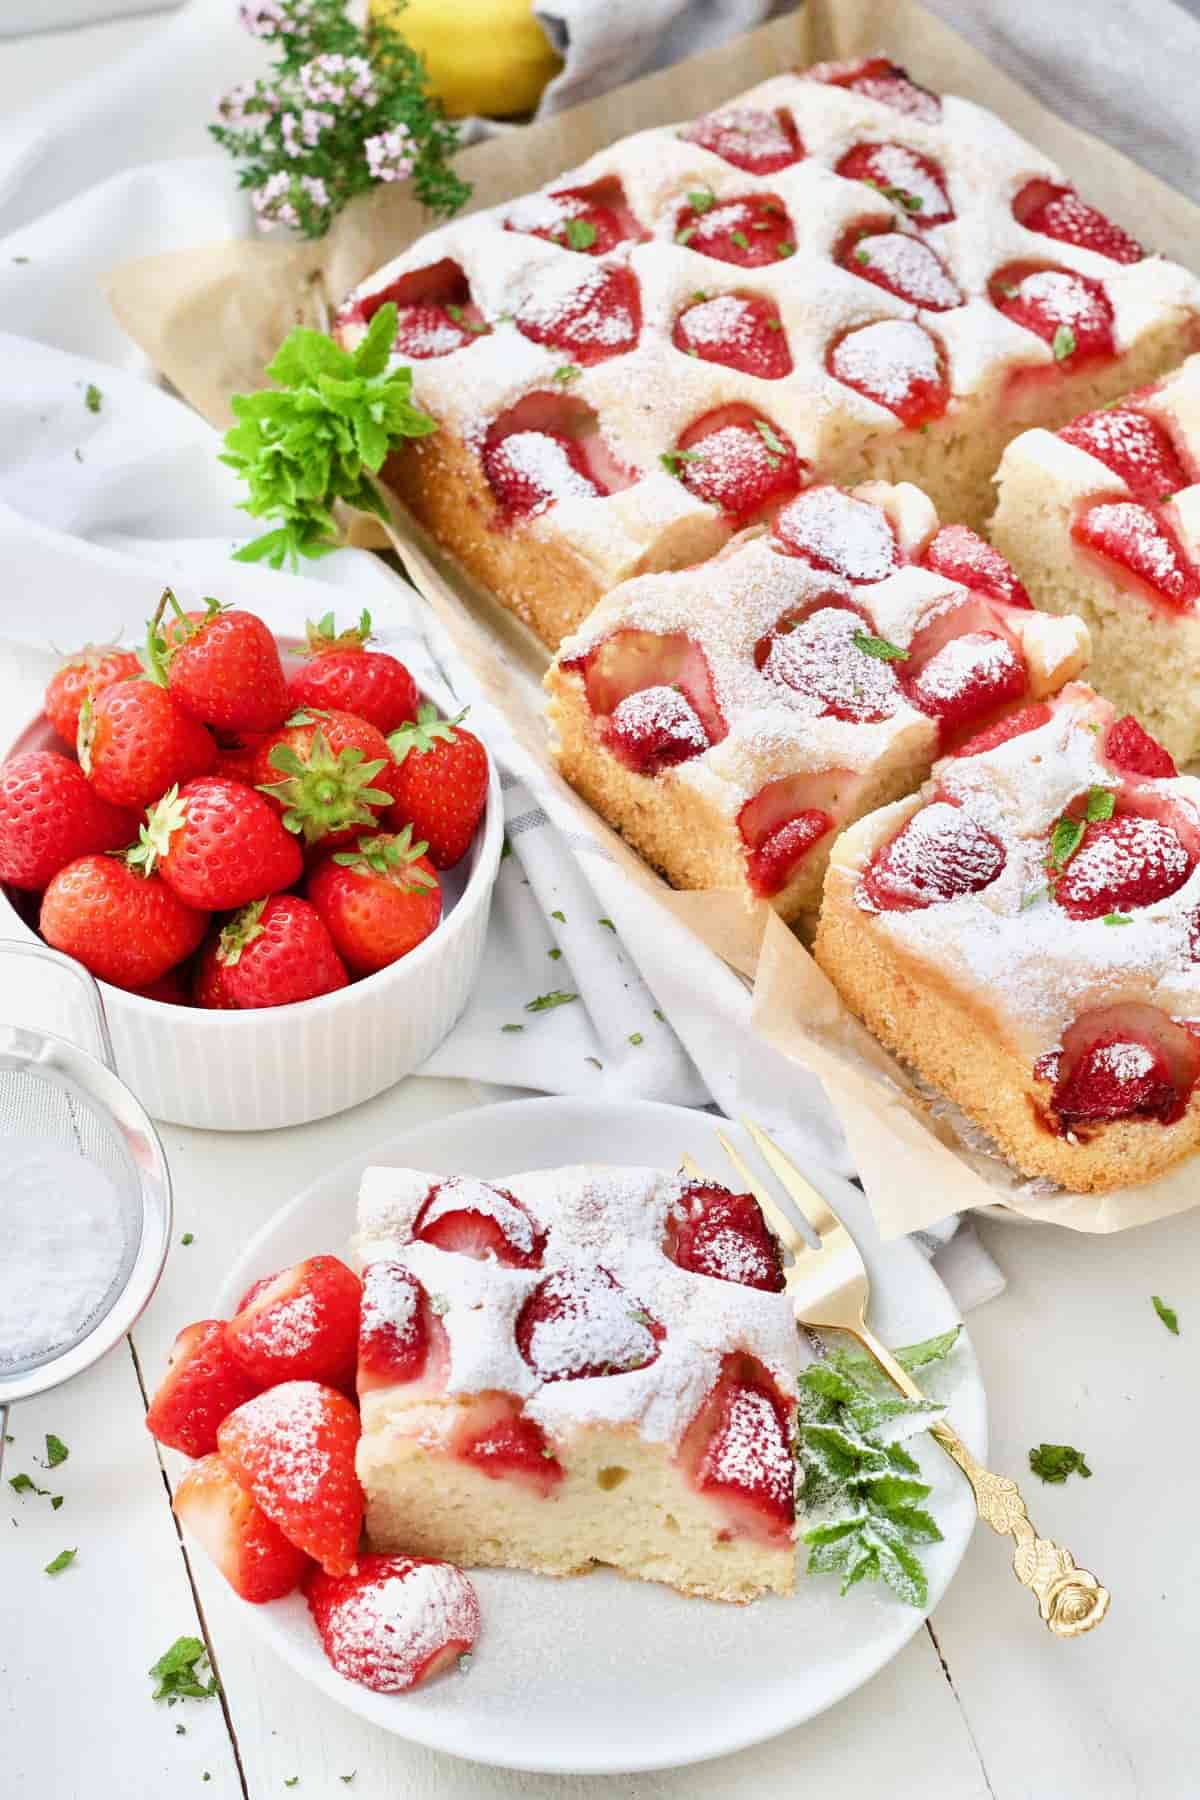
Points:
x=134 y=744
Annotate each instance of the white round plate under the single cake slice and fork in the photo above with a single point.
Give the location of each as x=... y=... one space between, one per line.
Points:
x=605 y=1675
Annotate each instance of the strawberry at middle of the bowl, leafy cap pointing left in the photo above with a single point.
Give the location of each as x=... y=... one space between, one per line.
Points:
x=219 y=845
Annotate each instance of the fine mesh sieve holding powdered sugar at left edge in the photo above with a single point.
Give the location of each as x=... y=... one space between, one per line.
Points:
x=69 y=1126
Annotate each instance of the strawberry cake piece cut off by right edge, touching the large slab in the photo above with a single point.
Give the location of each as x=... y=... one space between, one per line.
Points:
x=1104 y=519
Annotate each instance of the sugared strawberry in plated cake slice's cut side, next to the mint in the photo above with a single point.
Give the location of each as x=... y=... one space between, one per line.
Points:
x=739 y=1452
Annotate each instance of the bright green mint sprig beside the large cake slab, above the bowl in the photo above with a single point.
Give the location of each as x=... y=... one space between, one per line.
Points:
x=319 y=436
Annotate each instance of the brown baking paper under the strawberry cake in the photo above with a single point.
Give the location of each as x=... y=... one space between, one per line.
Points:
x=211 y=319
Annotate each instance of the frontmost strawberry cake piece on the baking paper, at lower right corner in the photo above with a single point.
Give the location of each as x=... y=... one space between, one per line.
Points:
x=1026 y=937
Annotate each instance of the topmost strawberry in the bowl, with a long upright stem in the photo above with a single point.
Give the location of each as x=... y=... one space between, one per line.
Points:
x=222 y=667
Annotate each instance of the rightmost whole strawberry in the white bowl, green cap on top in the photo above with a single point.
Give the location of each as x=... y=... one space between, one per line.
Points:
x=440 y=784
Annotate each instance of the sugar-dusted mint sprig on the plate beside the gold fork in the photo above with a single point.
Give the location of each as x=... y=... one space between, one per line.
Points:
x=857 y=1482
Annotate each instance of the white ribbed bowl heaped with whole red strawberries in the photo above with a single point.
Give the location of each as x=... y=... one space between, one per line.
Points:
x=276 y=858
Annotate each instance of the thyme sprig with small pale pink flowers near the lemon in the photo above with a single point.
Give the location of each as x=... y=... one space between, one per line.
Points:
x=343 y=111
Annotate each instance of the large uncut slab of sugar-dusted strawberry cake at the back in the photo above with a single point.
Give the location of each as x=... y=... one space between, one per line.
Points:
x=837 y=276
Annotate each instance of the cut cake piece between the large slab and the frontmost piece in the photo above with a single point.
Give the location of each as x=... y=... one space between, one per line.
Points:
x=730 y=719
